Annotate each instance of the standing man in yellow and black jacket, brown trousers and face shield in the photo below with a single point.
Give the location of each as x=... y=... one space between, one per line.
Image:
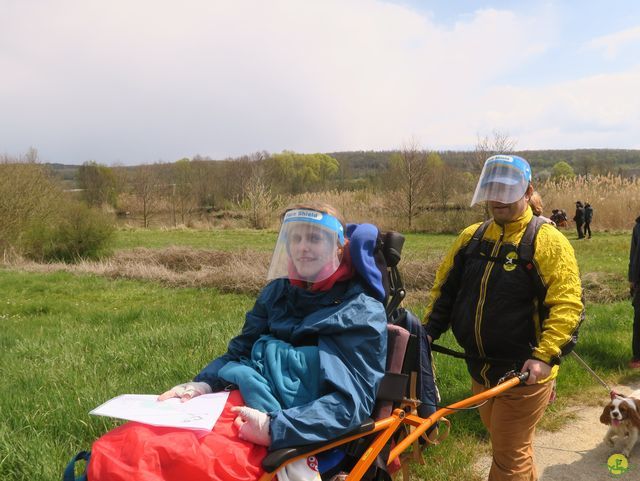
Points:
x=510 y=291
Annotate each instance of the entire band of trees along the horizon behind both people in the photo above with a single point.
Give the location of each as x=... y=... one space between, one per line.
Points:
x=413 y=177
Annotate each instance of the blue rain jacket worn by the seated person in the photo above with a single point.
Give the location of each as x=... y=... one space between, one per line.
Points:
x=349 y=329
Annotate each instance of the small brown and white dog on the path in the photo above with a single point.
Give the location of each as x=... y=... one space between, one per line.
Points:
x=622 y=415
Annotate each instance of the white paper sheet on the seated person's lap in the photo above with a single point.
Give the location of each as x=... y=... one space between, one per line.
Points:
x=201 y=412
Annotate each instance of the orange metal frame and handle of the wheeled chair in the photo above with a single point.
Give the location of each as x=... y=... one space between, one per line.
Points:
x=387 y=426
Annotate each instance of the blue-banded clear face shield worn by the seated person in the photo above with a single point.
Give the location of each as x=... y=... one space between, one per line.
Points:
x=309 y=246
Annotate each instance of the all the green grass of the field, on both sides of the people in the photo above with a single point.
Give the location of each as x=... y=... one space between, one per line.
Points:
x=70 y=342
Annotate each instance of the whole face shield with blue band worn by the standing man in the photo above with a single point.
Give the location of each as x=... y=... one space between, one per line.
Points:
x=504 y=179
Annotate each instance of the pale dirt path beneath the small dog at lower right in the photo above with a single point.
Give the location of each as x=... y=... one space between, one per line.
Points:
x=576 y=452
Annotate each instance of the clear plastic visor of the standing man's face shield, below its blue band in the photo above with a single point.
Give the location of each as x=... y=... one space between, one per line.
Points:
x=500 y=183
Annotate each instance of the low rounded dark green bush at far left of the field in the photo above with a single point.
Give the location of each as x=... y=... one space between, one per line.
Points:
x=77 y=232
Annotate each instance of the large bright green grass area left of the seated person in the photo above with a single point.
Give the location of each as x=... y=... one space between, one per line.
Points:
x=70 y=343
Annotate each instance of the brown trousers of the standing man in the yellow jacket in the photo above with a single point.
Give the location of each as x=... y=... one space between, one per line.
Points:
x=511 y=419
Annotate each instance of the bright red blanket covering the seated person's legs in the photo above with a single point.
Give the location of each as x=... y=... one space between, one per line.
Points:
x=138 y=452
